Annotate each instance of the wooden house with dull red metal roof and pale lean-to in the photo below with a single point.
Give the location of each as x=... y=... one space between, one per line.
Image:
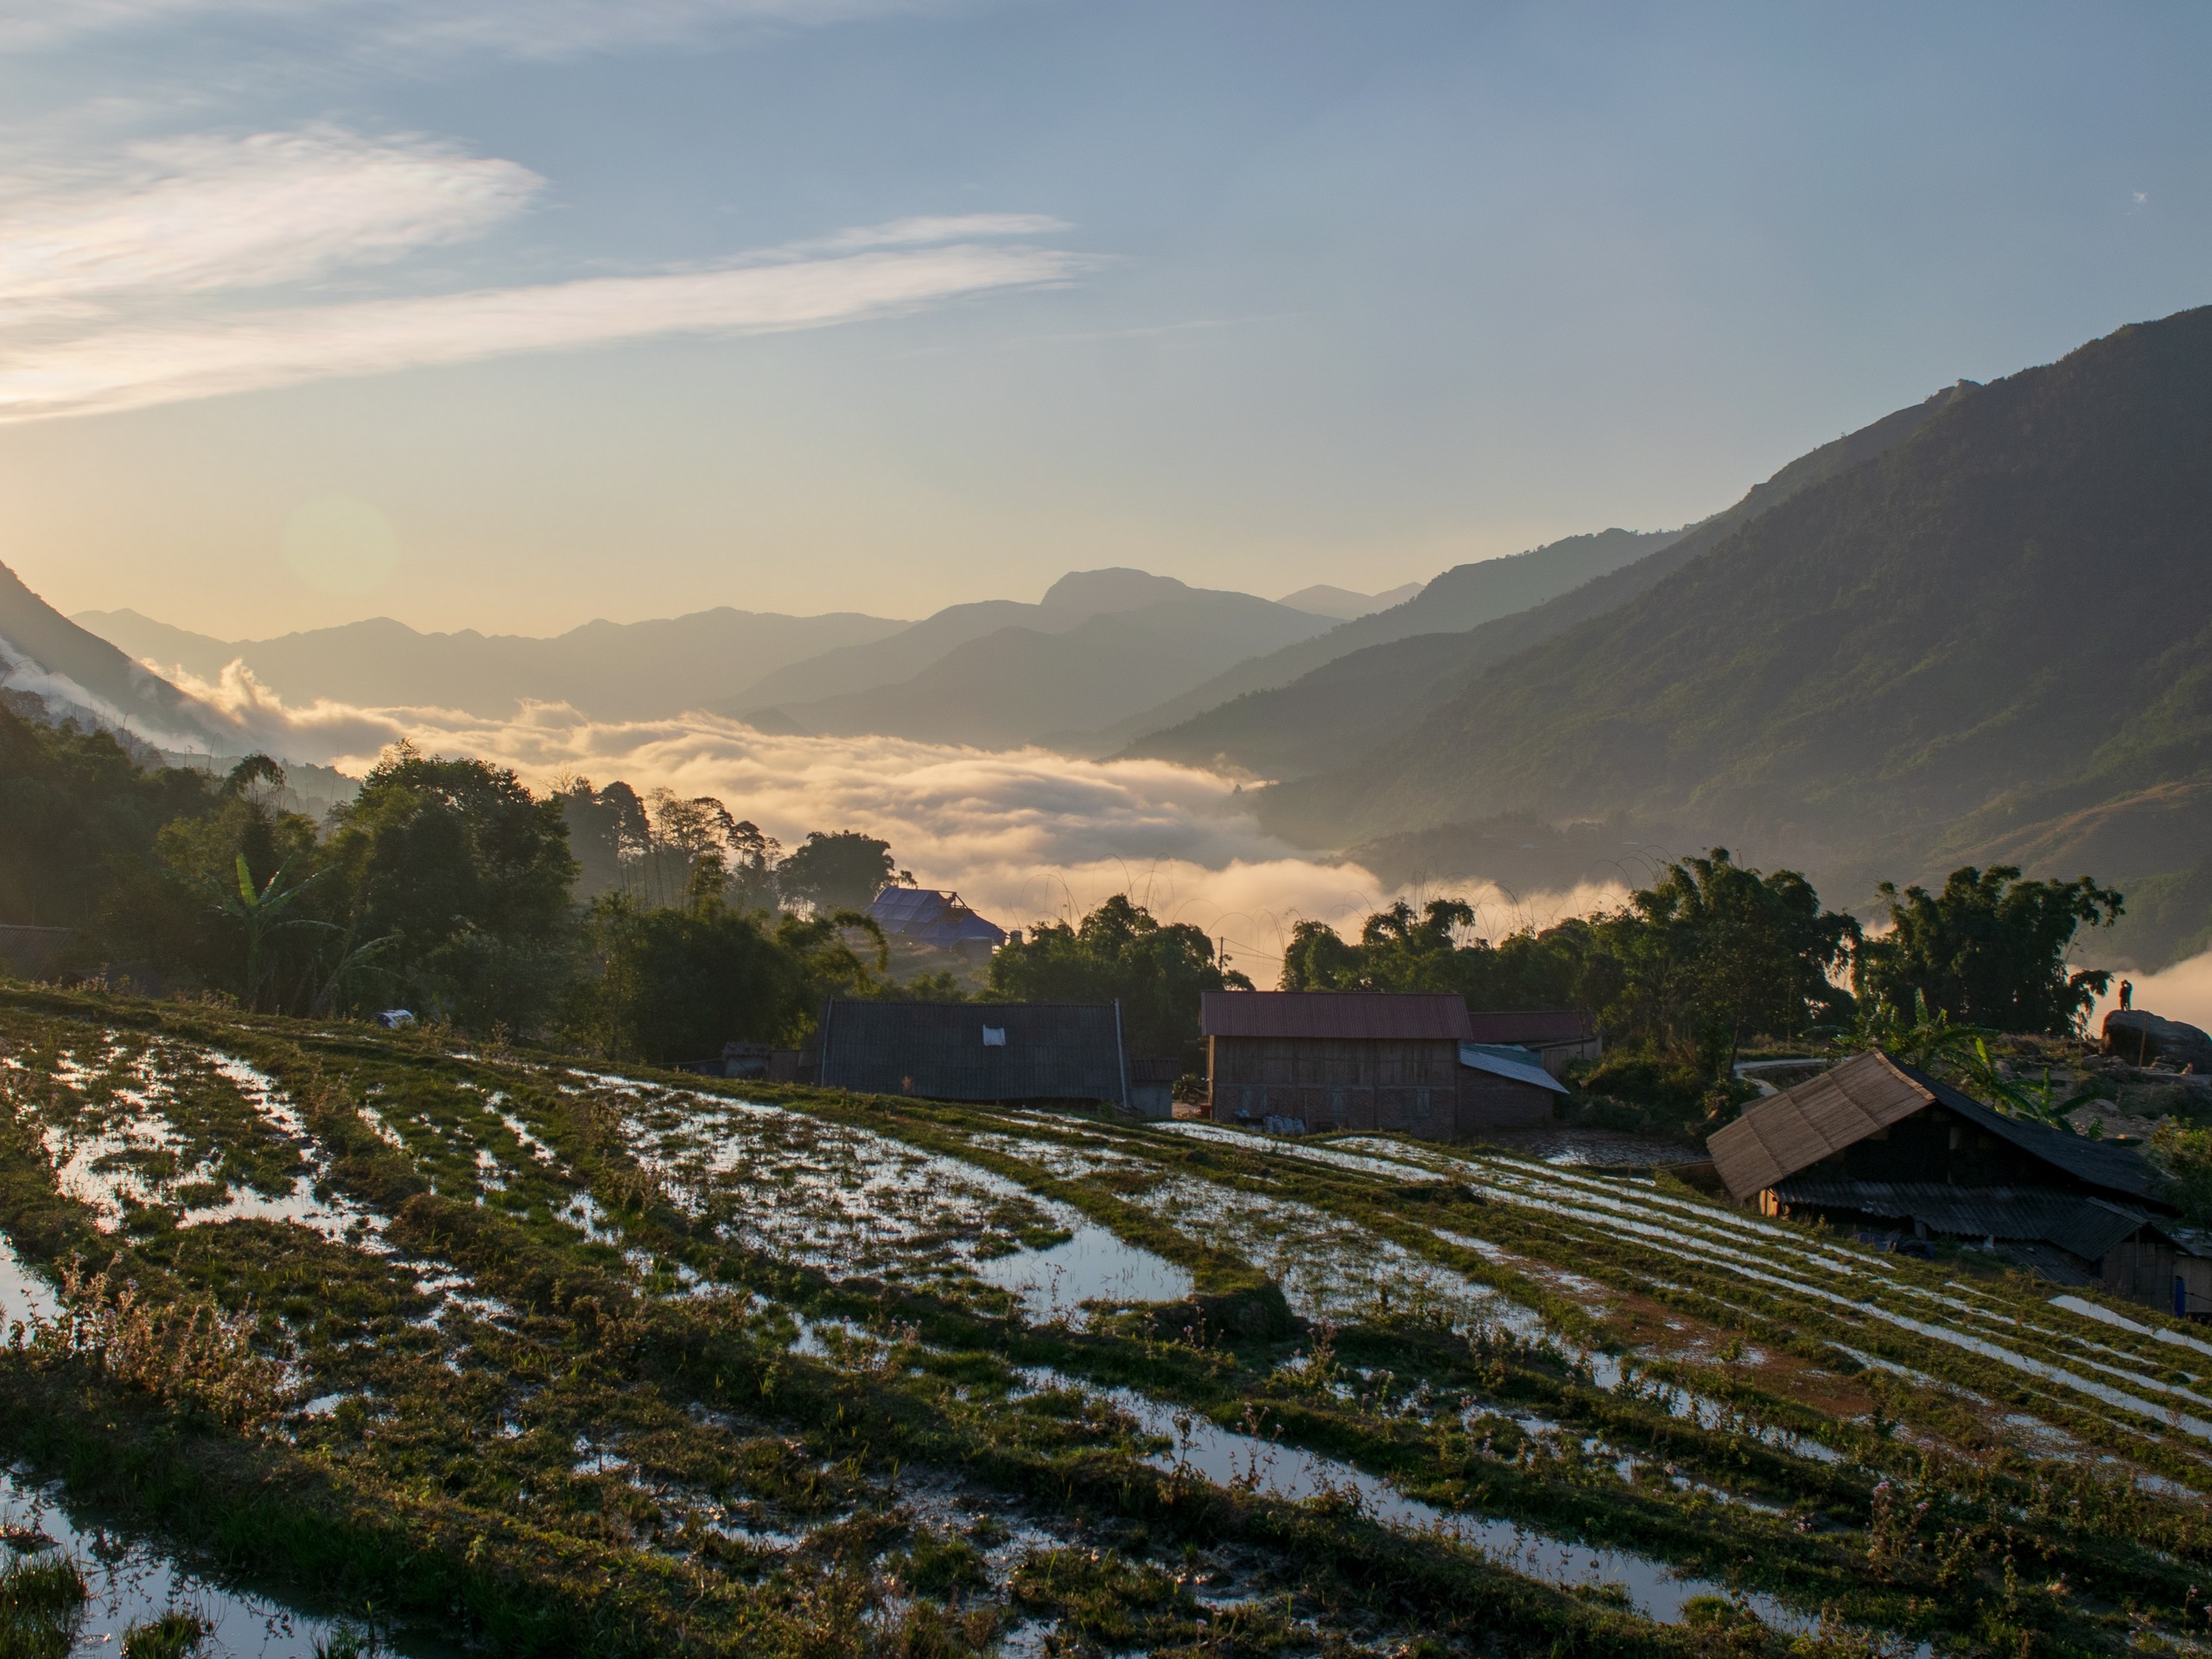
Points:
x=1410 y=1063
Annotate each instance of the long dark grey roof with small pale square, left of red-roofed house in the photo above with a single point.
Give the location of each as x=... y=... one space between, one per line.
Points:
x=939 y=1050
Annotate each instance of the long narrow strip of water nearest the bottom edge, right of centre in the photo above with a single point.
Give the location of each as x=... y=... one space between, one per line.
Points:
x=1293 y=1474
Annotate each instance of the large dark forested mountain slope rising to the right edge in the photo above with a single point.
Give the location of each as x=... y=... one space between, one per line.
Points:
x=1992 y=638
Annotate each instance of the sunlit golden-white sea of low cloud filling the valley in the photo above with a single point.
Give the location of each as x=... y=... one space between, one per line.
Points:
x=1021 y=835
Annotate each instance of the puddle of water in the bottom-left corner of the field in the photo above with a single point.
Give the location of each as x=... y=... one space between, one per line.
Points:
x=134 y=1585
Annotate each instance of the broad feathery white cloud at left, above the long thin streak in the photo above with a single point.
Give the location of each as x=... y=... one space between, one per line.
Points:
x=209 y=213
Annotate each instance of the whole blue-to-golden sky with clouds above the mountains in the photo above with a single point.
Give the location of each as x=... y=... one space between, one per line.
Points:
x=499 y=315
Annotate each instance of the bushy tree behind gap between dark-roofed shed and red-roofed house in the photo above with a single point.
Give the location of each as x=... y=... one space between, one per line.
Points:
x=1120 y=954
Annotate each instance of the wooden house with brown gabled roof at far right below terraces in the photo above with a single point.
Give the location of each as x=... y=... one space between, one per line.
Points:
x=1881 y=1147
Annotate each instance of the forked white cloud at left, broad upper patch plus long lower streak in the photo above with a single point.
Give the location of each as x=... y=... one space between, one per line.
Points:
x=121 y=284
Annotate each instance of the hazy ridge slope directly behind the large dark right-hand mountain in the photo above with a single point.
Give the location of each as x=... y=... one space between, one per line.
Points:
x=1346 y=709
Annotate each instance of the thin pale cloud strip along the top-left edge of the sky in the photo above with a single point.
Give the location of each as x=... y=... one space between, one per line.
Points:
x=508 y=28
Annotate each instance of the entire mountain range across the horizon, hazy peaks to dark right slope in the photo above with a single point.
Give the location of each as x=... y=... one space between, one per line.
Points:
x=1972 y=632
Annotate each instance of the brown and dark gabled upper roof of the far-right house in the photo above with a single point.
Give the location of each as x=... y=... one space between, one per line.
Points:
x=1870 y=1092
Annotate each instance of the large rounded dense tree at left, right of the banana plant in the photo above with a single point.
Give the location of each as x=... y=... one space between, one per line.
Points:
x=468 y=875
